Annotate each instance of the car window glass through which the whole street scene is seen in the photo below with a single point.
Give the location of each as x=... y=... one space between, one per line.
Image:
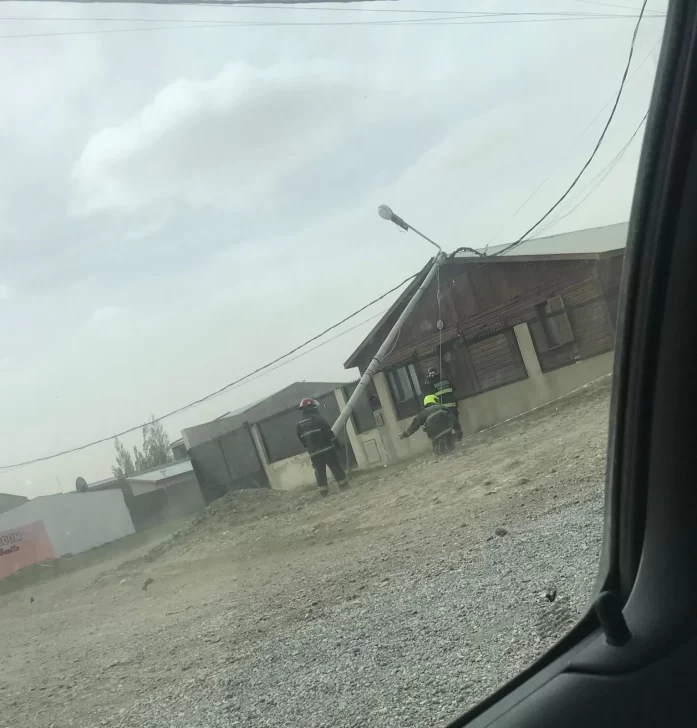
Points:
x=308 y=315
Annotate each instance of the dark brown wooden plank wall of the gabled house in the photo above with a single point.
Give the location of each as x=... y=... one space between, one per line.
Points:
x=480 y=301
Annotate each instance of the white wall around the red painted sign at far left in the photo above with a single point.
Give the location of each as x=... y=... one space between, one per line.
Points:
x=75 y=522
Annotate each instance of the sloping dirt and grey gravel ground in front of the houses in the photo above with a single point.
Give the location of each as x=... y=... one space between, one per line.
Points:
x=400 y=603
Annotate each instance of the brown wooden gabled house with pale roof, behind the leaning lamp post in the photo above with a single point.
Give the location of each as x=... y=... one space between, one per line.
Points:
x=564 y=288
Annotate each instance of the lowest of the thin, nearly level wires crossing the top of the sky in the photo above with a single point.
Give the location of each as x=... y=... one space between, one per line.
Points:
x=415 y=22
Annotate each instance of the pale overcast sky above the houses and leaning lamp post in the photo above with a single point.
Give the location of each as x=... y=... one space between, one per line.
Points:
x=179 y=207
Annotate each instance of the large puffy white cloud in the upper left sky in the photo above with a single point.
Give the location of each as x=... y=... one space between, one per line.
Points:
x=230 y=140
